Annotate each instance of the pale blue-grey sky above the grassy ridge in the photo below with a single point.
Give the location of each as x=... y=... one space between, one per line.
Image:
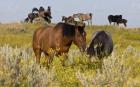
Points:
x=17 y=10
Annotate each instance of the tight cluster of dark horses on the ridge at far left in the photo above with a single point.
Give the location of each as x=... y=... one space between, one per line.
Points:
x=39 y=13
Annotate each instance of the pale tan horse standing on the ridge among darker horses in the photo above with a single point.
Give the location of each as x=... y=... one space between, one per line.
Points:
x=84 y=17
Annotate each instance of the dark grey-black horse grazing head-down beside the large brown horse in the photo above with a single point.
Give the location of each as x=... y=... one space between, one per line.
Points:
x=101 y=45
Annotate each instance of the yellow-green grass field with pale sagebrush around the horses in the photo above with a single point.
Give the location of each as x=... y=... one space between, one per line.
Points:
x=18 y=69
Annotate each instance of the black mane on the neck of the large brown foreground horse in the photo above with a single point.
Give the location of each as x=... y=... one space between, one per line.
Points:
x=68 y=29
